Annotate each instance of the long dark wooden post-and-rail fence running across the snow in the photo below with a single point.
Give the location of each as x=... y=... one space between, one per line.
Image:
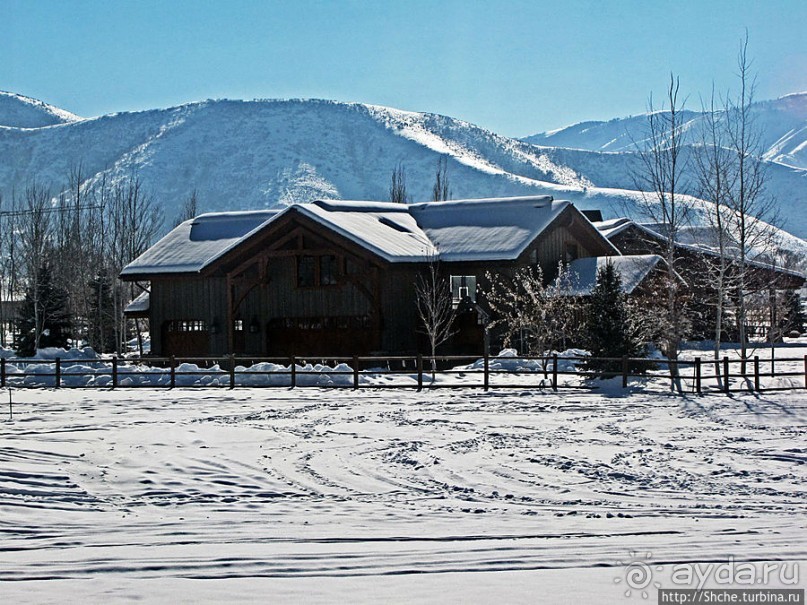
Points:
x=696 y=375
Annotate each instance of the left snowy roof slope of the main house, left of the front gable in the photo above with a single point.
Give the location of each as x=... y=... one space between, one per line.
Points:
x=195 y=243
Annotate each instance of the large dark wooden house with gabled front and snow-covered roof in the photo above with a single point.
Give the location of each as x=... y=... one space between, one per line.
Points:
x=338 y=277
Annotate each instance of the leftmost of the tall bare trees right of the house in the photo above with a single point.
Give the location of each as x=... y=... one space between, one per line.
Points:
x=661 y=180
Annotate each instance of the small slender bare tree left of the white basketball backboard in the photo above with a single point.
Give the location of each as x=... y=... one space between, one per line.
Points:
x=435 y=307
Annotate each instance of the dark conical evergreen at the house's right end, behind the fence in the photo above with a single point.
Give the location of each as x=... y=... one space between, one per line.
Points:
x=609 y=326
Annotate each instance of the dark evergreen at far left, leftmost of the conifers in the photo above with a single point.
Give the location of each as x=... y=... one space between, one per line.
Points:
x=44 y=317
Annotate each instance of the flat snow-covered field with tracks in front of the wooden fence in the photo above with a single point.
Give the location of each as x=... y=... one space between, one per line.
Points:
x=309 y=495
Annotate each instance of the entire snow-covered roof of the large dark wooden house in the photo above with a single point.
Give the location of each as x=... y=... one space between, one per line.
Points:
x=461 y=230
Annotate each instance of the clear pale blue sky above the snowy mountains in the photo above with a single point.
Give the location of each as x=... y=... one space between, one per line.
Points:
x=515 y=67
